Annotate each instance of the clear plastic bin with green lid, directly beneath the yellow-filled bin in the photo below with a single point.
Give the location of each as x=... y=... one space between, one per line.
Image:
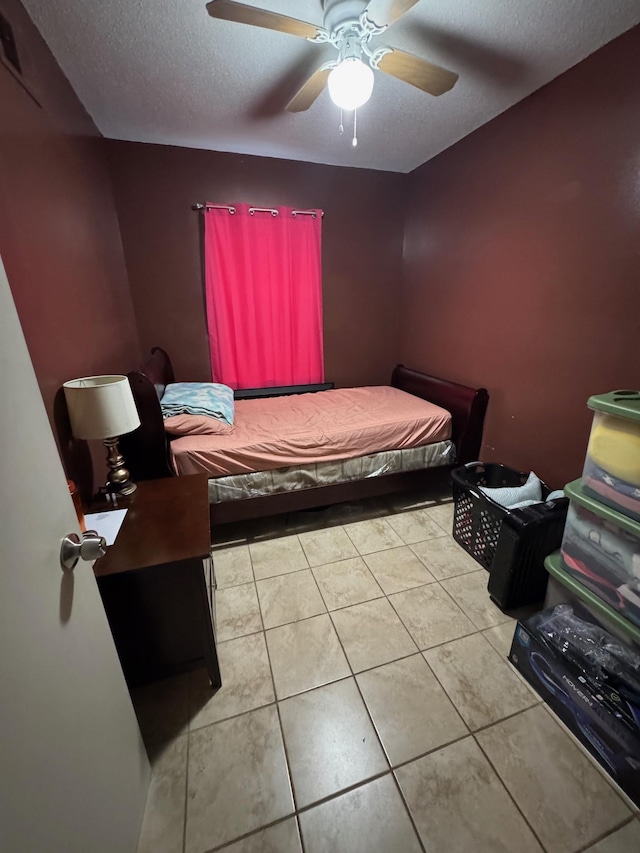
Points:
x=601 y=549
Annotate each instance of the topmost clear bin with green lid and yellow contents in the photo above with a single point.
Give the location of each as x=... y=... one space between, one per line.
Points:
x=612 y=467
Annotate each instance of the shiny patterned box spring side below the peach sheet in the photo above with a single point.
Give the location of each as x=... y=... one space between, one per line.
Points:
x=297 y=478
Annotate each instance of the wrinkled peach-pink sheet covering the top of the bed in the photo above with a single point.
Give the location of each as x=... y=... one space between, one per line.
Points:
x=330 y=425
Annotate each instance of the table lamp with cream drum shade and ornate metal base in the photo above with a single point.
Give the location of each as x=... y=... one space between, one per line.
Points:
x=102 y=407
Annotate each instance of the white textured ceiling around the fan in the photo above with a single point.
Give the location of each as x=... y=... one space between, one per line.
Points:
x=163 y=71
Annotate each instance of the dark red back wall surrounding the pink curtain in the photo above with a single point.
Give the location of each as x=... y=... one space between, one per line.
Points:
x=362 y=249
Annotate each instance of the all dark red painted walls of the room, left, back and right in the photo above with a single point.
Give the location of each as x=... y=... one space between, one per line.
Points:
x=521 y=250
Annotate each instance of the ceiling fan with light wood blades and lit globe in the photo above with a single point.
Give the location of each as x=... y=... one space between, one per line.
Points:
x=350 y=26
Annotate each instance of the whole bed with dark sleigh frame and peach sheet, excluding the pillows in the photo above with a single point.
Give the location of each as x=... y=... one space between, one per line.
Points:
x=244 y=487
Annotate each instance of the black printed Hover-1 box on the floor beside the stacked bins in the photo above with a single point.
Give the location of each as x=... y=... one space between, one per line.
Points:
x=587 y=707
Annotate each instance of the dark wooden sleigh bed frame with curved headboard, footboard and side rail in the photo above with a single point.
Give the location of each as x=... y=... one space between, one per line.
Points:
x=148 y=456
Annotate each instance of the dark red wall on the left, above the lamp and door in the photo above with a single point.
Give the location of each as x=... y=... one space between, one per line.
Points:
x=59 y=236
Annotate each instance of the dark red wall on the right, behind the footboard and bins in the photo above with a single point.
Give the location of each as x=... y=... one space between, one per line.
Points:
x=522 y=261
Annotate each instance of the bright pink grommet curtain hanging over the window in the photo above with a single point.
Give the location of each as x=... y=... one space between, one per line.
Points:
x=263 y=280
